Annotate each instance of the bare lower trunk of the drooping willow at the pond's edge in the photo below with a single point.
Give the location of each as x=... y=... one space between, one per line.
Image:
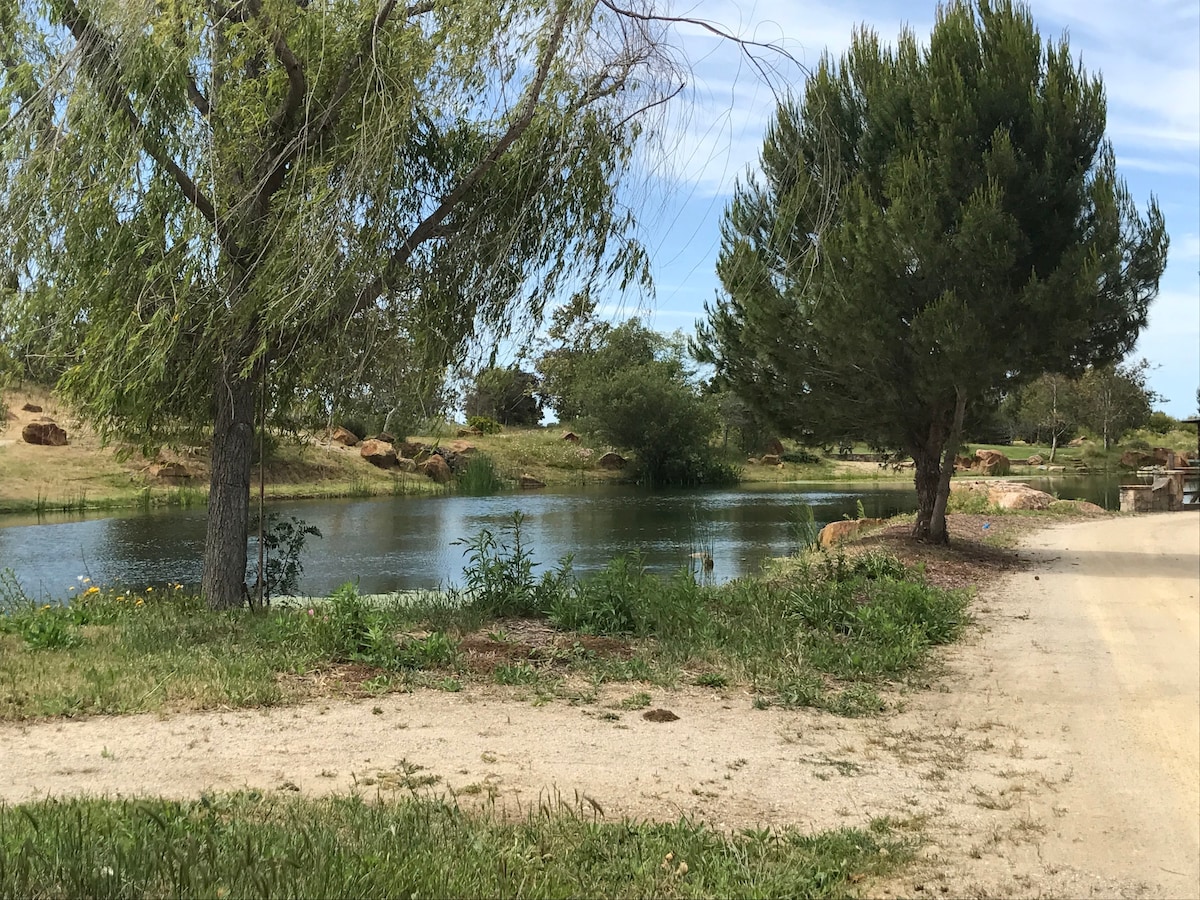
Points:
x=224 y=584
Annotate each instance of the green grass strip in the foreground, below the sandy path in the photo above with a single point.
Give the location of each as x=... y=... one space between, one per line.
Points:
x=253 y=845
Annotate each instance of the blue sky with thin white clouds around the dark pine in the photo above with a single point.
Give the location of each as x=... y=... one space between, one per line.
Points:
x=1147 y=51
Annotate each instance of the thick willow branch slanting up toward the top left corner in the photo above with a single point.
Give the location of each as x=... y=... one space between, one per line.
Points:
x=98 y=56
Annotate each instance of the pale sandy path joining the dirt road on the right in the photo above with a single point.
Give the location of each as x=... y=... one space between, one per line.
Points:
x=1057 y=757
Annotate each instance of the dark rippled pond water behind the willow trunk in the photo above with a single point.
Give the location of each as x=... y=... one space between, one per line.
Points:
x=409 y=543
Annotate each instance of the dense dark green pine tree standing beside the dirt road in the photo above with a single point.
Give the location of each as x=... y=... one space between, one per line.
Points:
x=932 y=226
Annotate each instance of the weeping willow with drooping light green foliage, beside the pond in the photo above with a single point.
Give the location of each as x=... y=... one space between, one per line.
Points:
x=199 y=199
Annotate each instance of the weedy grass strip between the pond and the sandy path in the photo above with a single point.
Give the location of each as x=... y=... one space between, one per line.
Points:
x=835 y=633
